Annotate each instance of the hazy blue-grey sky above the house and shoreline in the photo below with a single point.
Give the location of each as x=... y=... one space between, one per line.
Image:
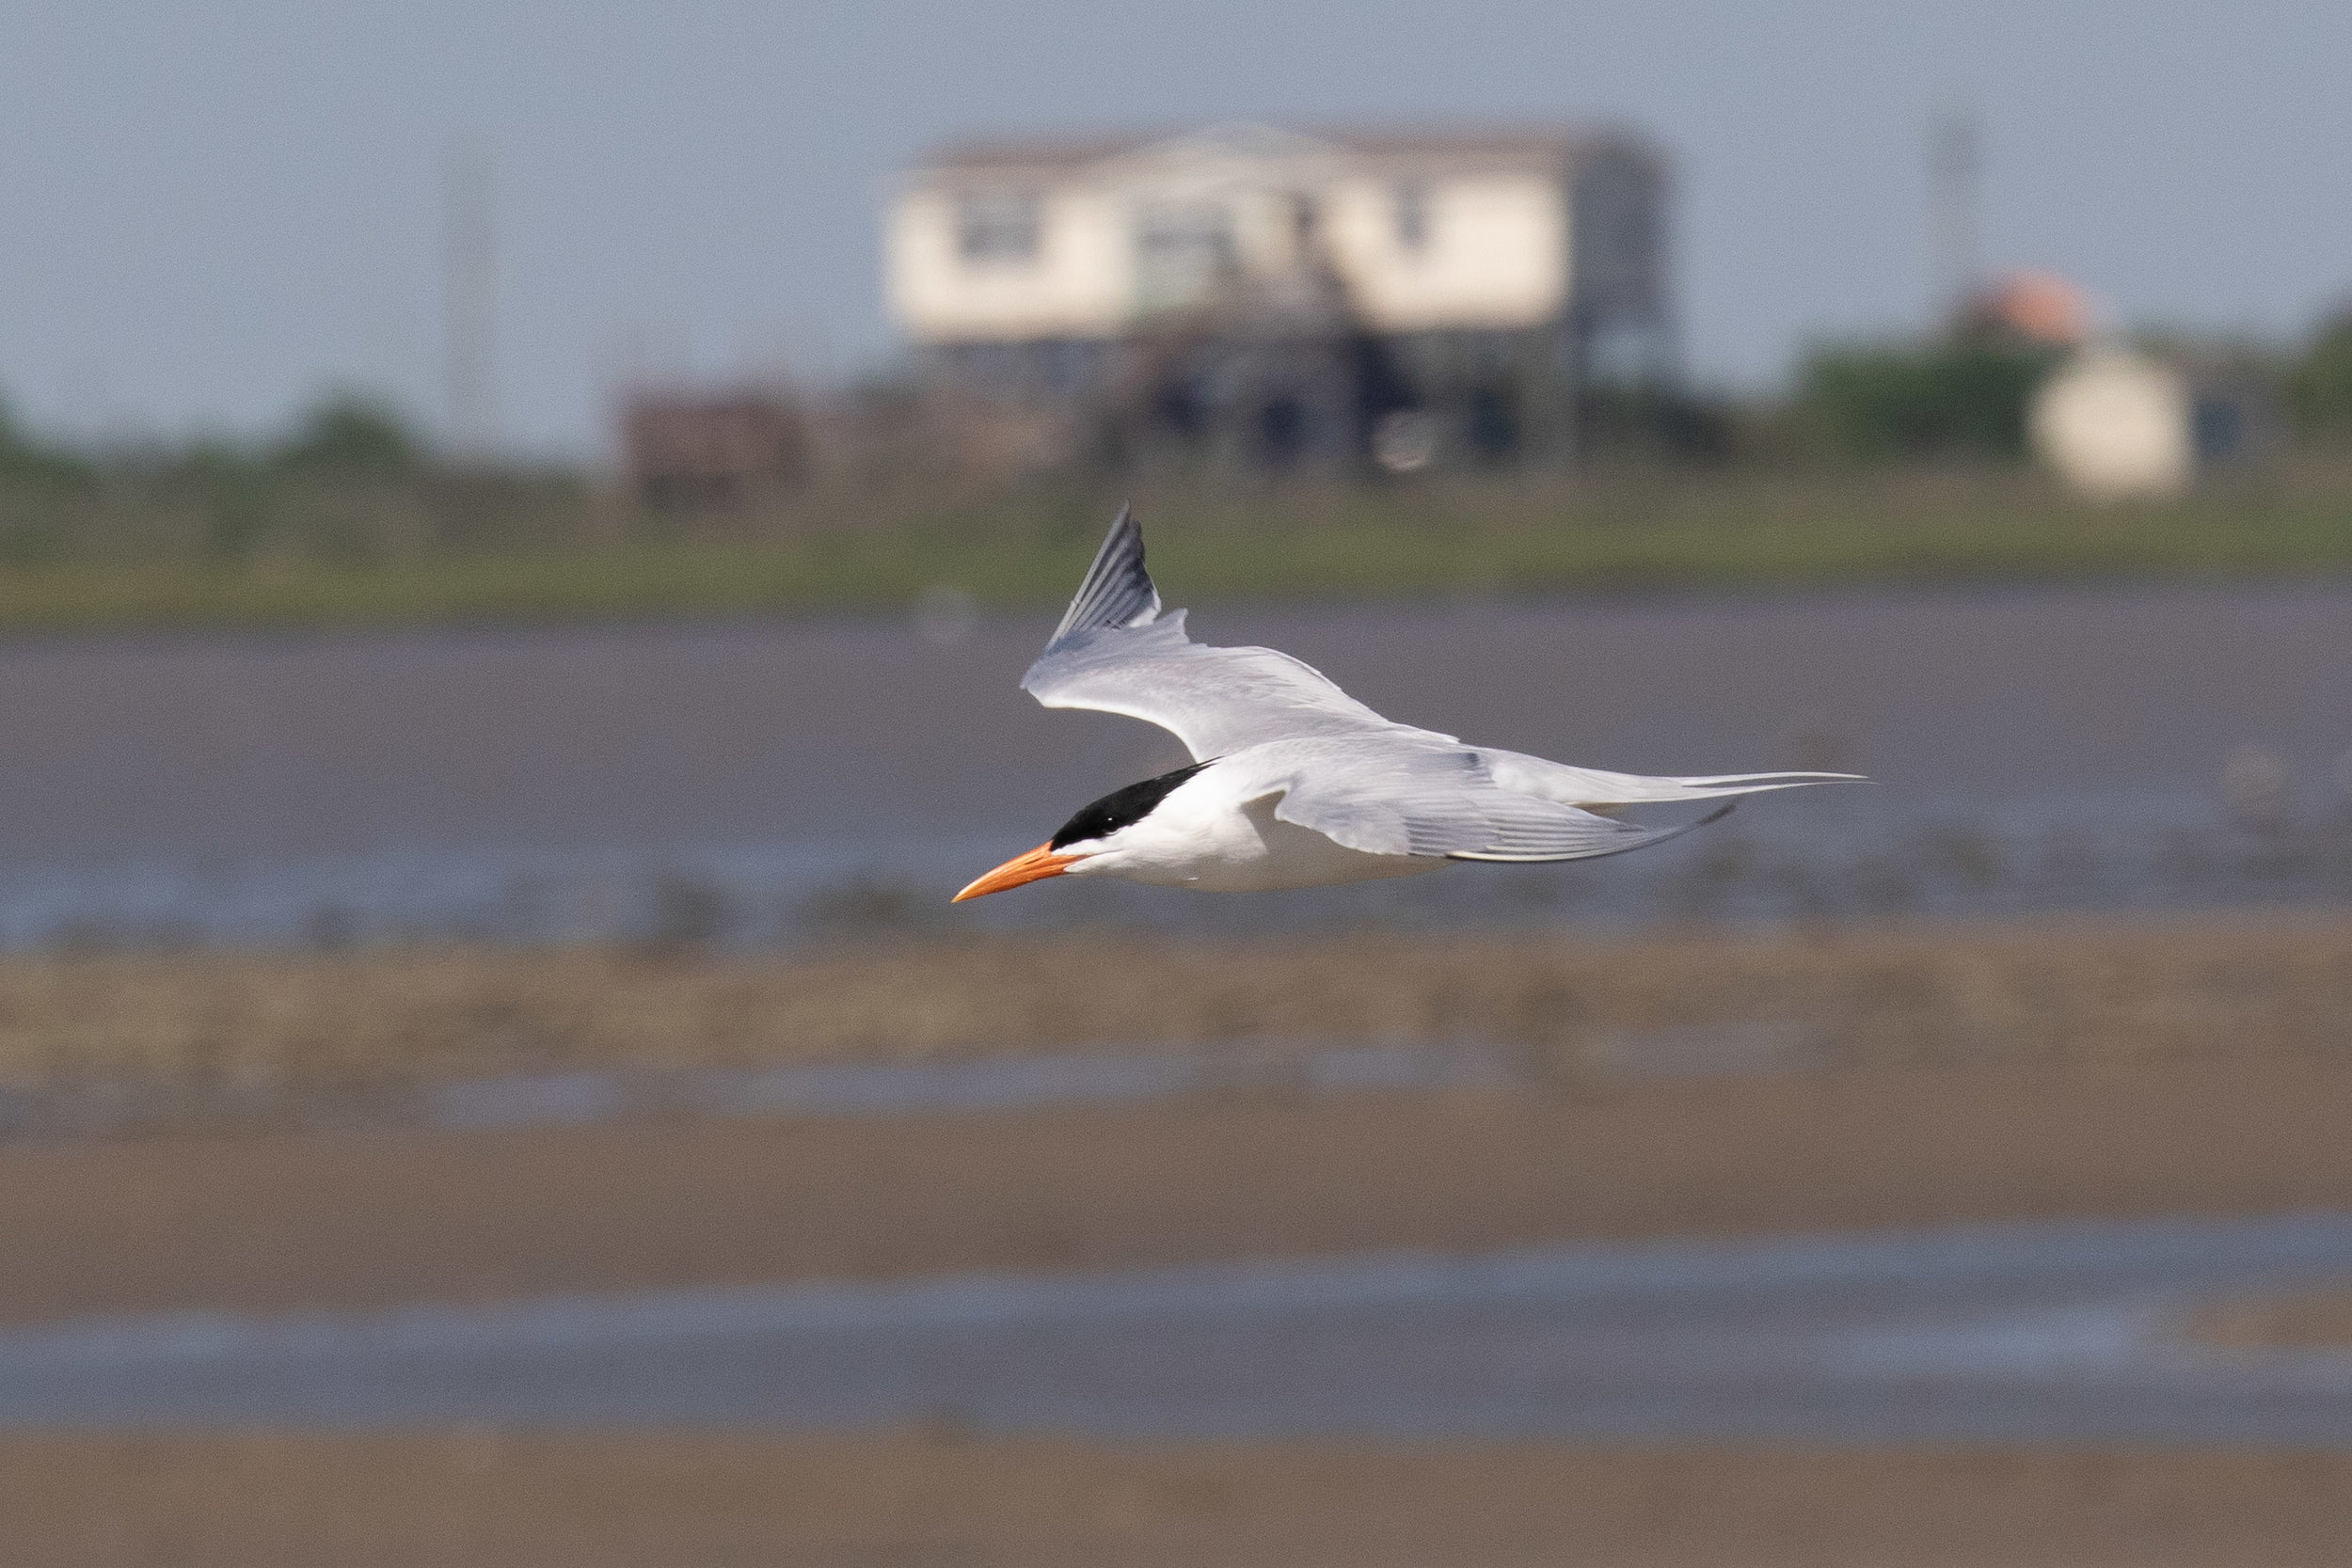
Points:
x=215 y=210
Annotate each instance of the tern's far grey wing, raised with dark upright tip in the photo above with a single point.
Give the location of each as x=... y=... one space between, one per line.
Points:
x=1118 y=652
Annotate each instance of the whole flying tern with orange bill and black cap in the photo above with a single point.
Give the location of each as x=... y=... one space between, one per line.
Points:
x=1292 y=782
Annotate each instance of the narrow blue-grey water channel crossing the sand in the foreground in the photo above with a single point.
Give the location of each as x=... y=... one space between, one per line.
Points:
x=2026 y=1332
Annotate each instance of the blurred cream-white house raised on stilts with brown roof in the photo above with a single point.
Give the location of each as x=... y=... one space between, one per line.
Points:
x=1271 y=295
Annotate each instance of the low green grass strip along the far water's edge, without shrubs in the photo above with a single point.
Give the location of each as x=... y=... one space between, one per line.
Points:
x=1459 y=537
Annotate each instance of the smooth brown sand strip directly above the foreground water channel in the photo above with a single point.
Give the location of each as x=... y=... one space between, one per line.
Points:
x=387 y=1217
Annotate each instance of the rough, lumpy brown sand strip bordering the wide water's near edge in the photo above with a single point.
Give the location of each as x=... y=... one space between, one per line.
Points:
x=1586 y=1010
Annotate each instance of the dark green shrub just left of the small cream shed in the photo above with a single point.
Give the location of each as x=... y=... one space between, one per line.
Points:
x=1953 y=398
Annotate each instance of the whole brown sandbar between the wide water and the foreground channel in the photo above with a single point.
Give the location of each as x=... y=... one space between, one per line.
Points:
x=1697 y=1085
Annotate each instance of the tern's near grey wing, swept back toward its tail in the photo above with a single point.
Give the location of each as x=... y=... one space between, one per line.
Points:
x=1429 y=800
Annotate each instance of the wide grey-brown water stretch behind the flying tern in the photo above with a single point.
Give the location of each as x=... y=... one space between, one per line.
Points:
x=799 y=779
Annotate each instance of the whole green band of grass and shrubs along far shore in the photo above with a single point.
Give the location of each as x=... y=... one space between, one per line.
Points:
x=1885 y=464
